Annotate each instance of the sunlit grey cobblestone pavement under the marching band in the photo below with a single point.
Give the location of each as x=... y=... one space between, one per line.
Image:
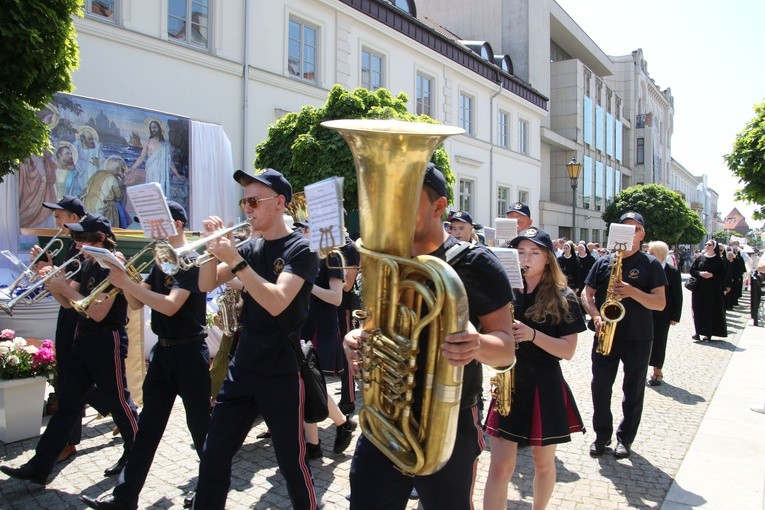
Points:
x=671 y=417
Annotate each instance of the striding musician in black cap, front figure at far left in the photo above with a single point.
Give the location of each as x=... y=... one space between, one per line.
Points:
x=98 y=356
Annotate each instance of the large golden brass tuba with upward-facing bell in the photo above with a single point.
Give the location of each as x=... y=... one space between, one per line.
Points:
x=390 y=158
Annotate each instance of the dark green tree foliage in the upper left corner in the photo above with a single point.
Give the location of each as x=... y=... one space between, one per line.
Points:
x=39 y=53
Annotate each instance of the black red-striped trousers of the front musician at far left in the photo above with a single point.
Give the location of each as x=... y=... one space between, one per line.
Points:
x=95 y=359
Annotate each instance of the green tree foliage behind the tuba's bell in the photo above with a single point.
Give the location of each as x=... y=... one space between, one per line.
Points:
x=305 y=152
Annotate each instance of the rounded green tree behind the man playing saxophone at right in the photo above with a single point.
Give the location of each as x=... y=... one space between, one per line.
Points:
x=667 y=217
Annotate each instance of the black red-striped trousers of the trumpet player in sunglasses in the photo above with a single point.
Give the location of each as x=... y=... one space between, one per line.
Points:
x=244 y=396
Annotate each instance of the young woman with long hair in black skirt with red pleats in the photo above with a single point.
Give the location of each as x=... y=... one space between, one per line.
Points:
x=543 y=411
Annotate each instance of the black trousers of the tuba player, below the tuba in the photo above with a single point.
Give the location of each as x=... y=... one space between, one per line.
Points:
x=377 y=485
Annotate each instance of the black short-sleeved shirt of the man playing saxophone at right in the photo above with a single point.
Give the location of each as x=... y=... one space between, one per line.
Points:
x=641 y=271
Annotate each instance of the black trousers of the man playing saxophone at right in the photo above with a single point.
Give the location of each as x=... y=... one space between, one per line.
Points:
x=634 y=355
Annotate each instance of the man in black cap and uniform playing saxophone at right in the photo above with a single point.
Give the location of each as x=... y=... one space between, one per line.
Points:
x=640 y=291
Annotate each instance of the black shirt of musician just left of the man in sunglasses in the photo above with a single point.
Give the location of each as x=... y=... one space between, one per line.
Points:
x=190 y=319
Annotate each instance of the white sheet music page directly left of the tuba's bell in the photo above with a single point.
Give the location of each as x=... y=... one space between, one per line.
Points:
x=325 y=214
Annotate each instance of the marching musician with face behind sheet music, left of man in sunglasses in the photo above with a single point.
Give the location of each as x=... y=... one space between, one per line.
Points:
x=178 y=364
